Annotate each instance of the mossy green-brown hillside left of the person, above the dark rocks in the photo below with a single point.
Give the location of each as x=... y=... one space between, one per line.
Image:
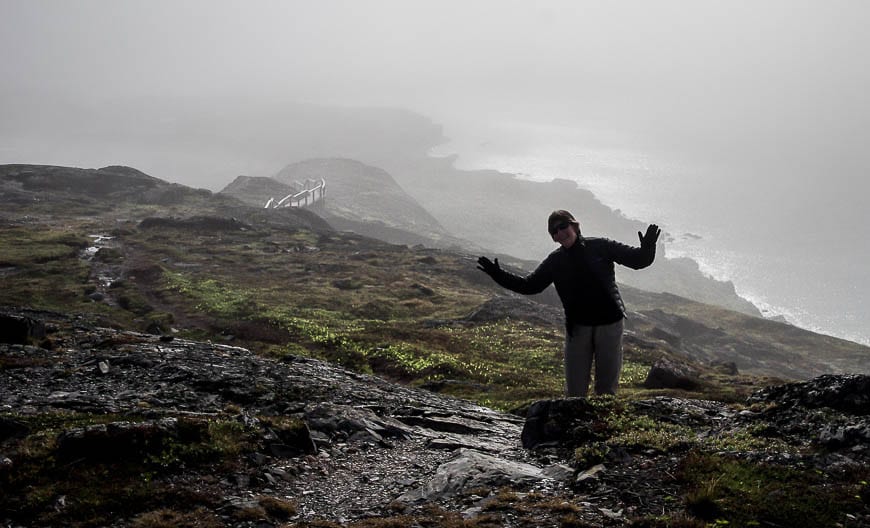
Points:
x=286 y=283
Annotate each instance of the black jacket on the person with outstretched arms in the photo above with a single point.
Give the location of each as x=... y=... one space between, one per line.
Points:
x=584 y=278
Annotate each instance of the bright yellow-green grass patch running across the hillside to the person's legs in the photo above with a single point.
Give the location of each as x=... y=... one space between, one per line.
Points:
x=502 y=364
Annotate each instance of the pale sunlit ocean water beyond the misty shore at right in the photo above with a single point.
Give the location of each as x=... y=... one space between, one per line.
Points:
x=795 y=245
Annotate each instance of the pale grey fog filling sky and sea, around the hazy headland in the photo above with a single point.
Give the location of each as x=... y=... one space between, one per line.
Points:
x=745 y=122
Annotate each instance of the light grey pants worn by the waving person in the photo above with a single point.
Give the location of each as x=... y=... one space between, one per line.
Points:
x=604 y=344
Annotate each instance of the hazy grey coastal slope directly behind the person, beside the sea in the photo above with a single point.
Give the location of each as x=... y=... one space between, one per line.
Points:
x=503 y=212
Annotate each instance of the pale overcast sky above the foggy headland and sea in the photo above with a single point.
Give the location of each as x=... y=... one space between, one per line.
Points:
x=793 y=71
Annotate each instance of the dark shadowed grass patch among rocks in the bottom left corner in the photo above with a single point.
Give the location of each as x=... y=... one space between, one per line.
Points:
x=100 y=478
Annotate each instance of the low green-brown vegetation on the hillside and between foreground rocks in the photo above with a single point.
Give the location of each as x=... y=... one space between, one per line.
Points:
x=398 y=312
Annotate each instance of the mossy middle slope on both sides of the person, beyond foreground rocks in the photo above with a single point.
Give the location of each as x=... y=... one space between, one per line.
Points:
x=279 y=263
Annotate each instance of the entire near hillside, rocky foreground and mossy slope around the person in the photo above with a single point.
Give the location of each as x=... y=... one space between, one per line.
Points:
x=205 y=363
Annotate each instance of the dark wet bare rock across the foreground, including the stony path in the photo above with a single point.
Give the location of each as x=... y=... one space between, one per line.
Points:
x=365 y=447
